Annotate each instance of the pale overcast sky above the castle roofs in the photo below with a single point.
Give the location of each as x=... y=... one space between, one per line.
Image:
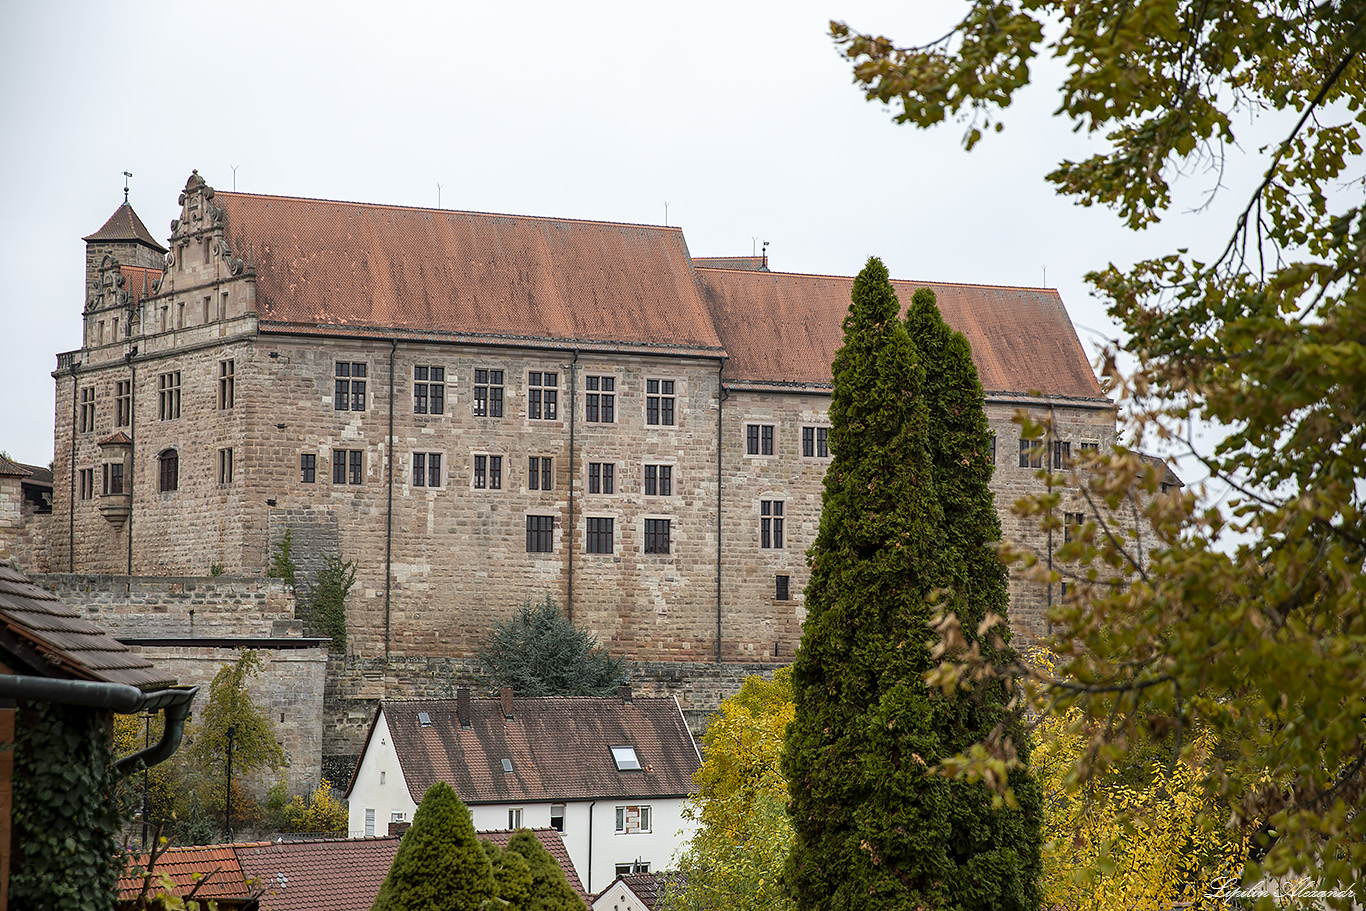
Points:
x=741 y=115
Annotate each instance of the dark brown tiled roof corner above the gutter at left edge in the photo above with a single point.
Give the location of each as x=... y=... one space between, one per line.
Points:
x=43 y=636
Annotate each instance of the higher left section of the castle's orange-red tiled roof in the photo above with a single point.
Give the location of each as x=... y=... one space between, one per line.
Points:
x=349 y=266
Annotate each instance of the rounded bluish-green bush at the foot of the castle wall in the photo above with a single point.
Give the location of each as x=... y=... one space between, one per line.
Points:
x=542 y=654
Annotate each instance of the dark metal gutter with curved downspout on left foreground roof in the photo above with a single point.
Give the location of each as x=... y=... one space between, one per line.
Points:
x=117 y=697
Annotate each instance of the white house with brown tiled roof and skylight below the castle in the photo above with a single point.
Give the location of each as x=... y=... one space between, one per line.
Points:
x=611 y=775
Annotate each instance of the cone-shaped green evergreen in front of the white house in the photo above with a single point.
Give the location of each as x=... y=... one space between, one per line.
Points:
x=441 y=865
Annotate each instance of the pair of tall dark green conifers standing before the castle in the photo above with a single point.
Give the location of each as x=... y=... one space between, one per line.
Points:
x=902 y=518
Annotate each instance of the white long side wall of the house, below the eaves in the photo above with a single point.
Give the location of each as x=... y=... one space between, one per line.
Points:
x=669 y=834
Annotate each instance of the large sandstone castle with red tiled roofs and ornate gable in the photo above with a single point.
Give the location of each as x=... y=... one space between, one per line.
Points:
x=483 y=410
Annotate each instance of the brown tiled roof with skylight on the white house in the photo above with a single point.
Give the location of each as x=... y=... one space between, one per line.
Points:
x=542 y=748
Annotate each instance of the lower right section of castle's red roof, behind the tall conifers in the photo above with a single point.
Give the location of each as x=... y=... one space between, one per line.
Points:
x=785 y=327
